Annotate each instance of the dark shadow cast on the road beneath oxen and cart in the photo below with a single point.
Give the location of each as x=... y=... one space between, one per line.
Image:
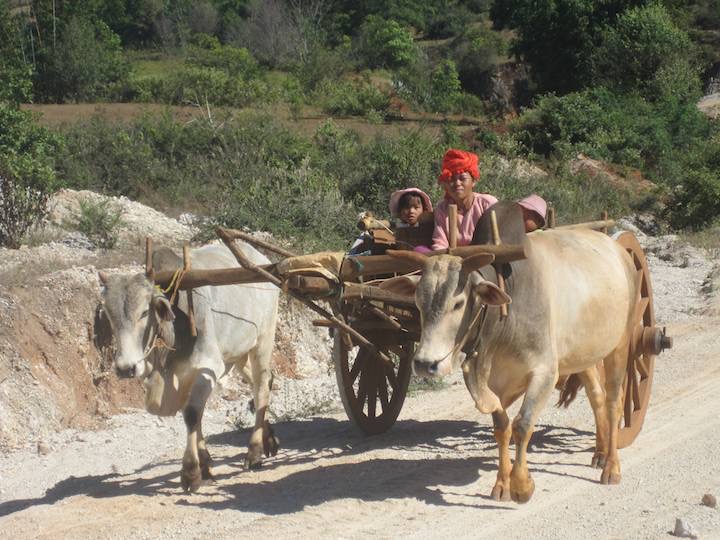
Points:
x=412 y=474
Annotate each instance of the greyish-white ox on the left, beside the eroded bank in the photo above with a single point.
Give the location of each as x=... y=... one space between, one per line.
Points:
x=235 y=325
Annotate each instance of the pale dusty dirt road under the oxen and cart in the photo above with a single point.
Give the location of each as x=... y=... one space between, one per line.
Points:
x=429 y=477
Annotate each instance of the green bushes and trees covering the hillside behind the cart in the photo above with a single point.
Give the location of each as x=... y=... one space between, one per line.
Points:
x=518 y=81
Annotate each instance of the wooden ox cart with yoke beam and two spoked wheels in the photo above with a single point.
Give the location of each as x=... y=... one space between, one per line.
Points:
x=375 y=323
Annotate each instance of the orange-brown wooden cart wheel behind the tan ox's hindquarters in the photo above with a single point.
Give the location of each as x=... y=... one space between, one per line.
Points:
x=636 y=389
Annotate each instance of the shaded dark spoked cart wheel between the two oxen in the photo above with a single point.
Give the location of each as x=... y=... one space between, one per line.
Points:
x=372 y=392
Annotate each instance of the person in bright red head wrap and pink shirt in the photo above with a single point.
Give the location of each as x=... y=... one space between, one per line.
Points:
x=460 y=173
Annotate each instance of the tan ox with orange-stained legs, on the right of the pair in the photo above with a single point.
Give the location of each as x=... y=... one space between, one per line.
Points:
x=572 y=301
